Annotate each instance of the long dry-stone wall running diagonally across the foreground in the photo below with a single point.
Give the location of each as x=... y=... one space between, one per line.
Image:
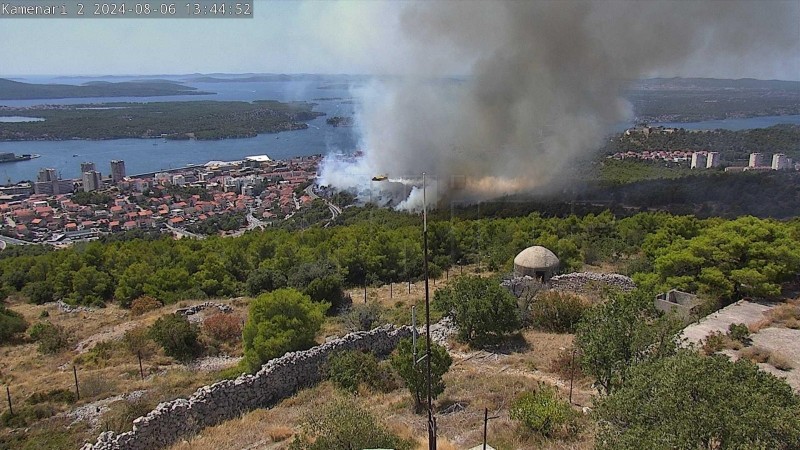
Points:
x=224 y=400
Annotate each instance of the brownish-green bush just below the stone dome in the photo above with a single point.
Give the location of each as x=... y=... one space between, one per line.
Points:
x=557 y=311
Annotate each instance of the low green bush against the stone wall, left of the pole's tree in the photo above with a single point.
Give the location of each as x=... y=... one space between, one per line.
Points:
x=350 y=368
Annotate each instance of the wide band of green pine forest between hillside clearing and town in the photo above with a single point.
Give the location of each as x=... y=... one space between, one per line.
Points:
x=726 y=259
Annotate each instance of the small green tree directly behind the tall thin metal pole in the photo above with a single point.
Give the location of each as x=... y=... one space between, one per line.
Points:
x=414 y=373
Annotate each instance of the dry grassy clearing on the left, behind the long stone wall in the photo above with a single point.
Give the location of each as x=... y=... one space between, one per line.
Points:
x=105 y=367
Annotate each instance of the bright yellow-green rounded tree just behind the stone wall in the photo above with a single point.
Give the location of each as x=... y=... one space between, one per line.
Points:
x=278 y=322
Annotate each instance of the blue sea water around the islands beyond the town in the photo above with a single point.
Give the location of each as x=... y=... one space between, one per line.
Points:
x=333 y=96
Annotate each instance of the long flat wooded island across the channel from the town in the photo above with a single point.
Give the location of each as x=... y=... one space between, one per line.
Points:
x=202 y=120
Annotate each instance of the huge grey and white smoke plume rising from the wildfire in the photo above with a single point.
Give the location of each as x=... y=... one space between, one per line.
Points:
x=542 y=85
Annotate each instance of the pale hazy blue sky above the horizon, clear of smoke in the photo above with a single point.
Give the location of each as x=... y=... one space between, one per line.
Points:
x=285 y=36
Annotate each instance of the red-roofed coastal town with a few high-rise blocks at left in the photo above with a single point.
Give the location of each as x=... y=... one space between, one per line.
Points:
x=228 y=197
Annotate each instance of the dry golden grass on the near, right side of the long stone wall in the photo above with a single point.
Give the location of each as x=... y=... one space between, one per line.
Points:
x=477 y=380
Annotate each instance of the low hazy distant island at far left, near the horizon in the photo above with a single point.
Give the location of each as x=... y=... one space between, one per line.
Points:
x=15 y=90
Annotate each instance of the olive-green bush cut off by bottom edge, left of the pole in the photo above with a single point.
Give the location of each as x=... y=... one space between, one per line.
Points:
x=344 y=424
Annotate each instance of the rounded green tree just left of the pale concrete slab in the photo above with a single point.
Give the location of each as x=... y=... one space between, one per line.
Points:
x=622 y=331
